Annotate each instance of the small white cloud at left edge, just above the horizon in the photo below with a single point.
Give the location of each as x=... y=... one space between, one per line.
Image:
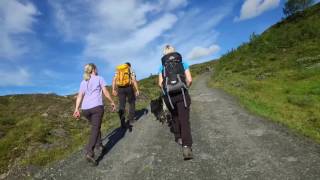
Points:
x=19 y=77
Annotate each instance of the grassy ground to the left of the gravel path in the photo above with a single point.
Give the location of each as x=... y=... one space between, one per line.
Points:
x=38 y=129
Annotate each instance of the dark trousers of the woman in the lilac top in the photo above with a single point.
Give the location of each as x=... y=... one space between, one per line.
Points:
x=94 y=115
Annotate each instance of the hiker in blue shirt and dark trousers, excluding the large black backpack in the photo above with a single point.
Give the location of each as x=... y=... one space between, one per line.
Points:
x=179 y=105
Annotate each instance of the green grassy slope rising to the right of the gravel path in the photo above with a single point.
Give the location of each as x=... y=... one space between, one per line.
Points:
x=277 y=74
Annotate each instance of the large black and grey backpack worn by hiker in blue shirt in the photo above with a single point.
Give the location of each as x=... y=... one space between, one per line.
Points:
x=174 y=80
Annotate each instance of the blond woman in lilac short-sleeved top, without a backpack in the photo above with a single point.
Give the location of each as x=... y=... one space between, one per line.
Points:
x=90 y=94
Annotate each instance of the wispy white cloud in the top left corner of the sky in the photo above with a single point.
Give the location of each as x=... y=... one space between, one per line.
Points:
x=16 y=19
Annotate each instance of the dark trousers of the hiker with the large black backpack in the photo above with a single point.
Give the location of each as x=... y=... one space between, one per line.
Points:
x=180 y=116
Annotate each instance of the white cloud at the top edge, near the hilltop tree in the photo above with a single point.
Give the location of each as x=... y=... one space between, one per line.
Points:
x=254 y=8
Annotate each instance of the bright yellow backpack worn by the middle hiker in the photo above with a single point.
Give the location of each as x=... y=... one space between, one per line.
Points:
x=123 y=75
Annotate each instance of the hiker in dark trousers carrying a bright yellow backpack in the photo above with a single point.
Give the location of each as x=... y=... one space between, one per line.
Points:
x=125 y=86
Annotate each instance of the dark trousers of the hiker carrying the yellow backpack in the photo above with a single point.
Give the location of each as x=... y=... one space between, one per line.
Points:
x=125 y=94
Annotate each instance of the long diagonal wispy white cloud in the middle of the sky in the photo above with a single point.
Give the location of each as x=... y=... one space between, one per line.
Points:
x=132 y=44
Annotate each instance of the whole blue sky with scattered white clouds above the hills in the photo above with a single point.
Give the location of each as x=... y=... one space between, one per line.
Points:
x=44 y=44
